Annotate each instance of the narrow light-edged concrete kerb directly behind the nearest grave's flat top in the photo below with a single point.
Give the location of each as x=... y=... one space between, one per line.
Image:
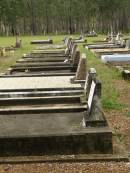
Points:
x=37 y=109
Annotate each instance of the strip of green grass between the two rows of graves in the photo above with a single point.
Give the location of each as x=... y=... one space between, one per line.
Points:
x=107 y=76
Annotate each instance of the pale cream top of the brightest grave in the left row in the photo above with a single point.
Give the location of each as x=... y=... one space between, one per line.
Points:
x=36 y=83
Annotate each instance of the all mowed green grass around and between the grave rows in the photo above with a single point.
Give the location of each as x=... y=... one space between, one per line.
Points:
x=106 y=75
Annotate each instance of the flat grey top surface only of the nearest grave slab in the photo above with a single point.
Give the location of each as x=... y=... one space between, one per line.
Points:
x=33 y=125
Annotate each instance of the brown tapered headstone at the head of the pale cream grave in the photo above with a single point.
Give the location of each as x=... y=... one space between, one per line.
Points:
x=82 y=68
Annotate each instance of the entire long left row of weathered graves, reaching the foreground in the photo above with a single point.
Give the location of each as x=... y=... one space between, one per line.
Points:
x=50 y=109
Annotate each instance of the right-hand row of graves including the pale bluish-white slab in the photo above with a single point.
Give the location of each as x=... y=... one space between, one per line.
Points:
x=113 y=51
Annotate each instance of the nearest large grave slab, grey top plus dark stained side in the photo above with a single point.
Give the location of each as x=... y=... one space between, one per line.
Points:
x=51 y=134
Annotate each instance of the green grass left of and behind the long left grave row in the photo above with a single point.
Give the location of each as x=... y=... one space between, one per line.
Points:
x=6 y=62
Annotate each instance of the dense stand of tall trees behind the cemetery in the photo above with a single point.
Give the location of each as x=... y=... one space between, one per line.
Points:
x=63 y=16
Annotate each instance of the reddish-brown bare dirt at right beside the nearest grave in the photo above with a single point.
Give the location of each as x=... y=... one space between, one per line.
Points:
x=119 y=120
